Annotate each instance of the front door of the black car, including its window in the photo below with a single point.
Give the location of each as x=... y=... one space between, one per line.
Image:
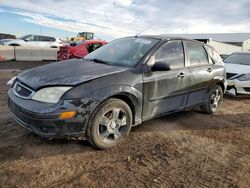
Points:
x=166 y=91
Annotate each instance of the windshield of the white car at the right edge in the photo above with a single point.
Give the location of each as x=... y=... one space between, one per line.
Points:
x=239 y=58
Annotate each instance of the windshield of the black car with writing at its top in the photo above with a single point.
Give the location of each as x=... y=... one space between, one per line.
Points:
x=125 y=52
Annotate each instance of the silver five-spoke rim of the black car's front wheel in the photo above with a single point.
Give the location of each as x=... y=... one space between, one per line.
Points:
x=112 y=125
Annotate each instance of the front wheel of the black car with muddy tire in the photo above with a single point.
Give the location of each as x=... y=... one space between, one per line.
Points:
x=109 y=124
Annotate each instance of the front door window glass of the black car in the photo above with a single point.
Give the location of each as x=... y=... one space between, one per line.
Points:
x=171 y=53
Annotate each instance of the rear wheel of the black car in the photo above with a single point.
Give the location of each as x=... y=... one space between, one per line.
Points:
x=215 y=97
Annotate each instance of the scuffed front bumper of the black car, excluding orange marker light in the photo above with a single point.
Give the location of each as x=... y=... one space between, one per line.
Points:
x=44 y=118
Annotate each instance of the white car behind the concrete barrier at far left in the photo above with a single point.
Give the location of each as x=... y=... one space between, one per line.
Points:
x=35 y=41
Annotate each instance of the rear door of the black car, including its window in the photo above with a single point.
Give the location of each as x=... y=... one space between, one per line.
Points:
x=201 y=72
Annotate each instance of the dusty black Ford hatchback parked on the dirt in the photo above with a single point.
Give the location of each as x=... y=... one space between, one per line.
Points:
x=122 y=84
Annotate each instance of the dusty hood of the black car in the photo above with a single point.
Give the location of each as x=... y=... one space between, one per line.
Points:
x=66 y=73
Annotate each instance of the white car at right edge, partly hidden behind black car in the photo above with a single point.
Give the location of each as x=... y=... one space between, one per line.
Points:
x=238 y=73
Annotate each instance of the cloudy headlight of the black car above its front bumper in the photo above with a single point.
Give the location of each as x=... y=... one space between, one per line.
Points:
x=50 y=94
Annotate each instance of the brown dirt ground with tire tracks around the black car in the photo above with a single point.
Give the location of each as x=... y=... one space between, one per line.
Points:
x=186 y=149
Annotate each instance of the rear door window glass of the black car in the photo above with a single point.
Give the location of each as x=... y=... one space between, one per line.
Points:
x=197 y=54
